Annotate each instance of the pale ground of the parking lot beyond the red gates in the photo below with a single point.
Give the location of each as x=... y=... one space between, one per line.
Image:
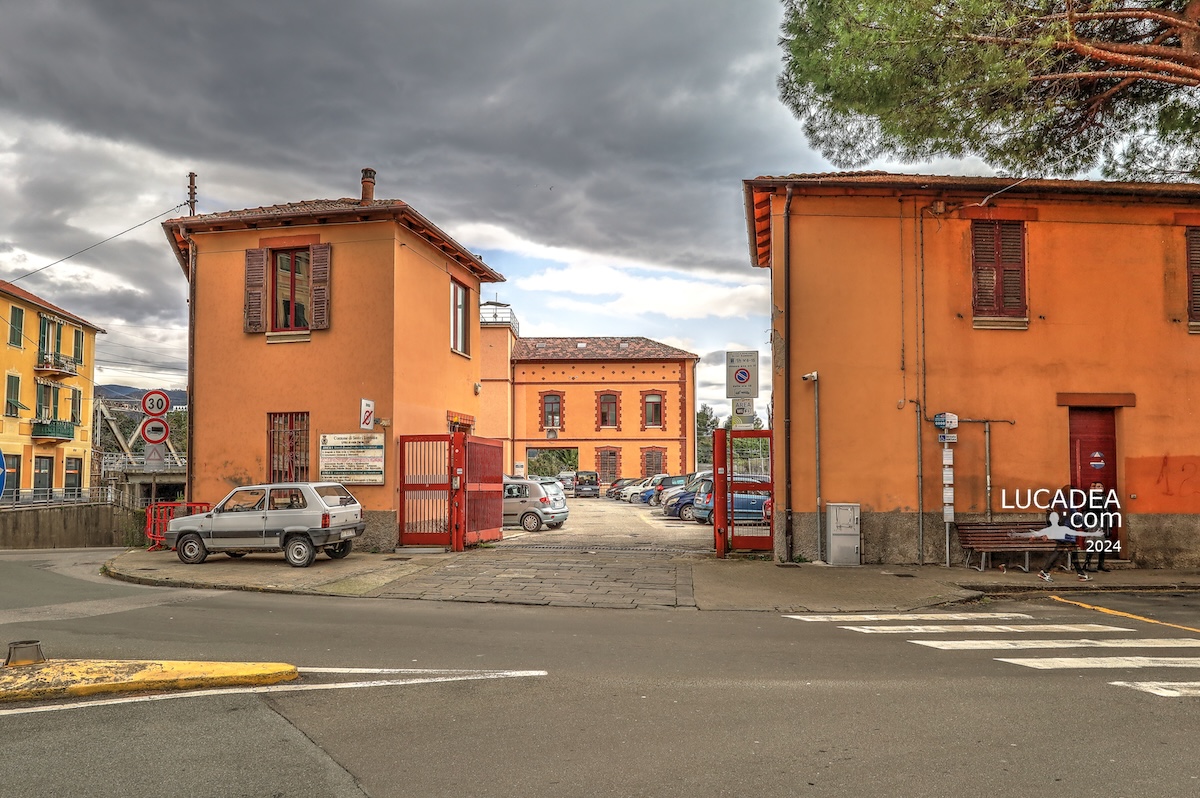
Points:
x=609 y=525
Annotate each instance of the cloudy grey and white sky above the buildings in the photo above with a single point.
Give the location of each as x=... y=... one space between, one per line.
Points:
x=591 y=152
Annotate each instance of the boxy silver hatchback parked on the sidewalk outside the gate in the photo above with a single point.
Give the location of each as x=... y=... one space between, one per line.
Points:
x=295 y=518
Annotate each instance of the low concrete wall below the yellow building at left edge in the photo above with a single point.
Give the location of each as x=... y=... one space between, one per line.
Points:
x=71 y=527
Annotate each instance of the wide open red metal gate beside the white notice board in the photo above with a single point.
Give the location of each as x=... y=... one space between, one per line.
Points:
x=451 y=490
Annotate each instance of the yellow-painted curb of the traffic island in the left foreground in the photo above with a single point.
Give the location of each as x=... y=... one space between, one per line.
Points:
x=62 y=679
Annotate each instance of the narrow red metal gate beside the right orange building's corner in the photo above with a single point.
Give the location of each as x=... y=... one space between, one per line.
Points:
x=731 y=478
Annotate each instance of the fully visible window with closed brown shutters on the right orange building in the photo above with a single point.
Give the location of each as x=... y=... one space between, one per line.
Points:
x=999 y=273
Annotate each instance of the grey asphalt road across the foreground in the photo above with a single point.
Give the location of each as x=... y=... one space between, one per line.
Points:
x=632 y=703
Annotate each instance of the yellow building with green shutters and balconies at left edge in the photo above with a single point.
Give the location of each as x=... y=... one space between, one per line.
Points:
x=50 y=364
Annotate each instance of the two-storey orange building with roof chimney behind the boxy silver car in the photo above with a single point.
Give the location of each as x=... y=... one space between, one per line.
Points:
x=304 y=314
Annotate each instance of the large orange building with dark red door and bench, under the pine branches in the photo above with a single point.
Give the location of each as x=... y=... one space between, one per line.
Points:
x=1059 y=322
